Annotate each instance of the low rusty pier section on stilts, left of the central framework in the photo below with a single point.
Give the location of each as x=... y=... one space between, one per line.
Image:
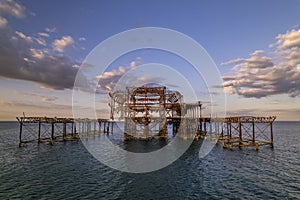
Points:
x=51 y=129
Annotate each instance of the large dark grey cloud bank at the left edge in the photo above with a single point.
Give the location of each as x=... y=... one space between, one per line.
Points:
x=20 y=61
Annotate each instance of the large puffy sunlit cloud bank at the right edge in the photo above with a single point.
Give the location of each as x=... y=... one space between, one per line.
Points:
x=259 y=76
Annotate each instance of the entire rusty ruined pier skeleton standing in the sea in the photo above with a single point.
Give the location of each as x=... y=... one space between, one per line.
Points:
x=153 y=112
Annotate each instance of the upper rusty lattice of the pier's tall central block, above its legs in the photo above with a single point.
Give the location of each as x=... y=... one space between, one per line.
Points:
x=145 y=102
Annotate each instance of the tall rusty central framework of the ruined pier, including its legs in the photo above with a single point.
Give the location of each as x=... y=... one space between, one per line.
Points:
x=146 y=111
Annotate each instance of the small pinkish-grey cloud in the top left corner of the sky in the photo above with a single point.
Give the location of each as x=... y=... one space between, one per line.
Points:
x=12 y=8
